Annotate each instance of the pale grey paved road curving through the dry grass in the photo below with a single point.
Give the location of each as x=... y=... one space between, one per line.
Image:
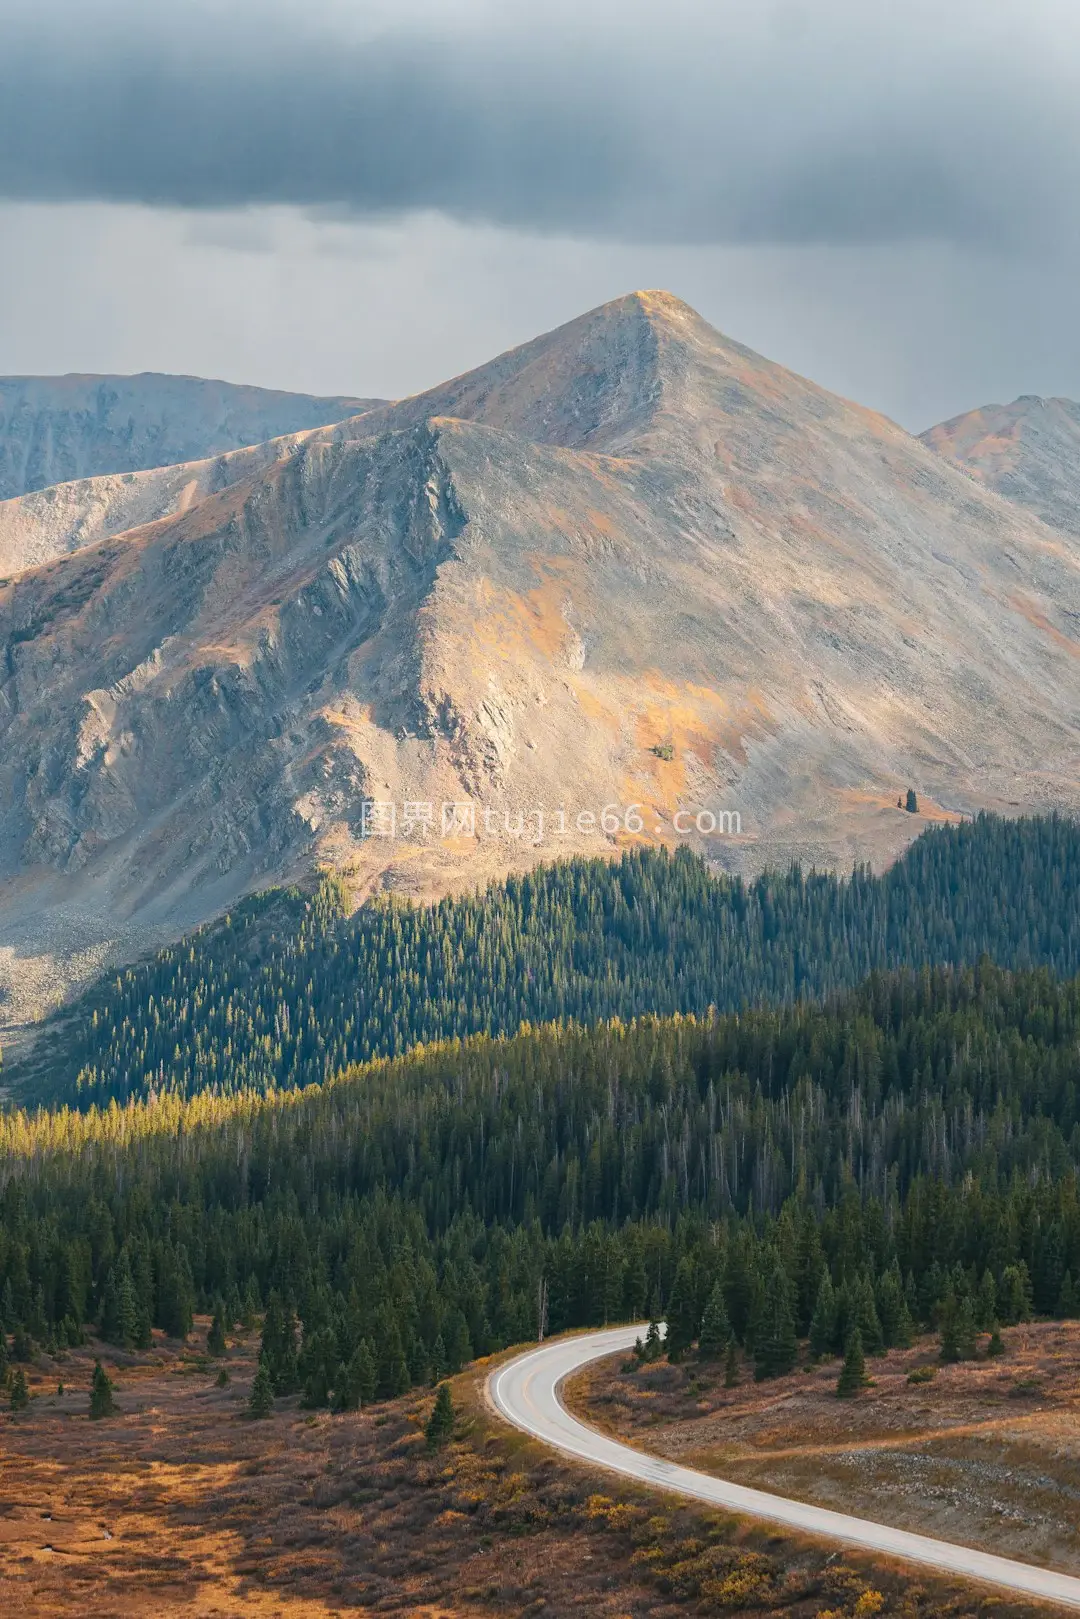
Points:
x=527 y=1393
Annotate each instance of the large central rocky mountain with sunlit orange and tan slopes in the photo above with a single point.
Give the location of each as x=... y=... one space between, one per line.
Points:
x=627 y=564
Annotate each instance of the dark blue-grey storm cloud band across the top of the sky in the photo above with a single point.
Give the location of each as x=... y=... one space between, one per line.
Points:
x=726 y=124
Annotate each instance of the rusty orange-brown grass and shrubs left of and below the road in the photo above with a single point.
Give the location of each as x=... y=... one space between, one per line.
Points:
x=184 y=1506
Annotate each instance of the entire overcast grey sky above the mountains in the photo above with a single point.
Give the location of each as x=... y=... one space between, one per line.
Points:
x=368 y=198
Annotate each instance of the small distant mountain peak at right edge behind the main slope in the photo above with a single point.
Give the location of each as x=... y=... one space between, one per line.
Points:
x=1027 y=451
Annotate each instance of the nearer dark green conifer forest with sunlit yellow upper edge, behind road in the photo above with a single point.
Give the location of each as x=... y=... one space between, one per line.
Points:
x=901 y=1155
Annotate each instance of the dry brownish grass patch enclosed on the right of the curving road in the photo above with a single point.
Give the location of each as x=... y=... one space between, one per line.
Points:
x=989 y=1453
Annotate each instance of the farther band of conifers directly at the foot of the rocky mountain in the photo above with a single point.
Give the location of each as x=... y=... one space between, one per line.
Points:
x=289 y=990
